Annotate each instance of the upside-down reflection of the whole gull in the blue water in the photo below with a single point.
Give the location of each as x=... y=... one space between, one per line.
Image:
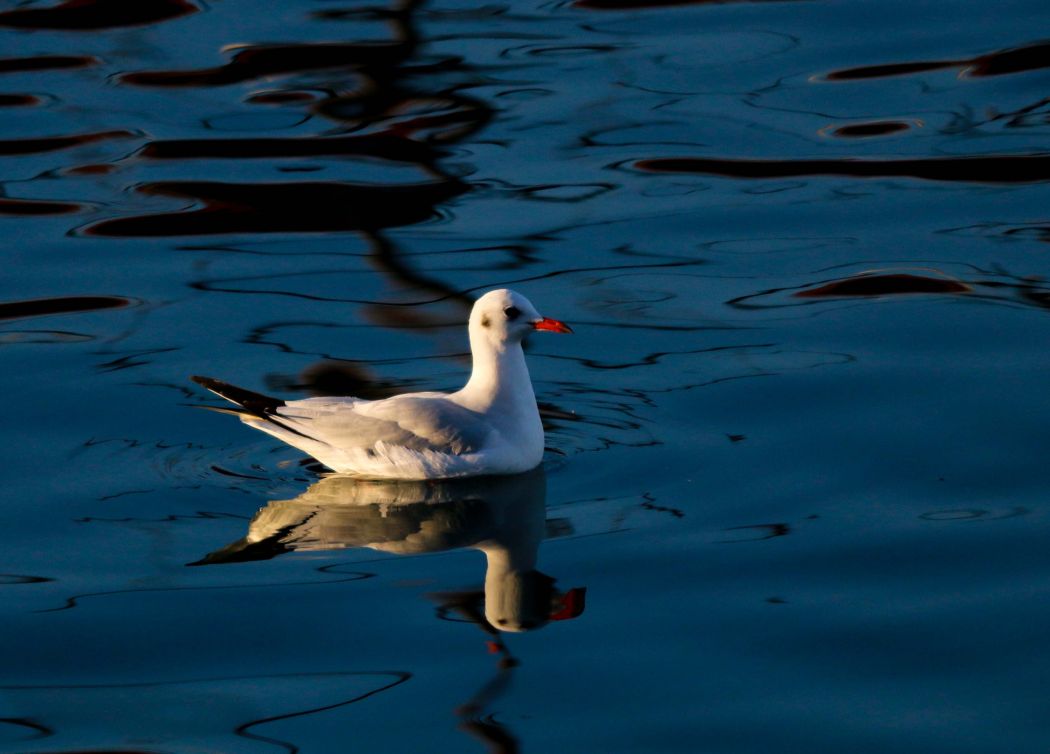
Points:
x=503 y=517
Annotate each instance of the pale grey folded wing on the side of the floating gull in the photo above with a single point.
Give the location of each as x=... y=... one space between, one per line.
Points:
x=418 y=423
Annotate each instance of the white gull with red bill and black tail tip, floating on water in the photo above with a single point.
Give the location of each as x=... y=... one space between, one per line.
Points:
x=490 y=427
